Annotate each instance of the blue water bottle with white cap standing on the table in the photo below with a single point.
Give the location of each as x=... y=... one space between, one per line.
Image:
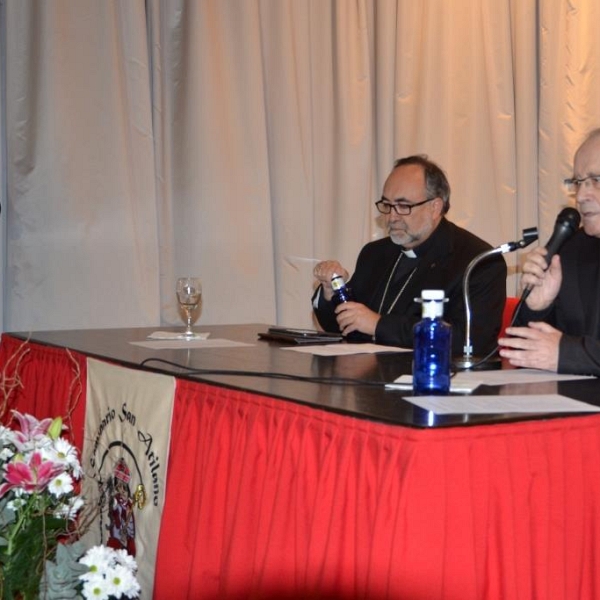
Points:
x=432 y=345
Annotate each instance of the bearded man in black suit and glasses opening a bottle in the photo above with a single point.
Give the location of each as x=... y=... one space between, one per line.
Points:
x=423 y=251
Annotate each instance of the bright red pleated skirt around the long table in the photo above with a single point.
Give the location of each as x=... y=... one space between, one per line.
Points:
x=269 y=499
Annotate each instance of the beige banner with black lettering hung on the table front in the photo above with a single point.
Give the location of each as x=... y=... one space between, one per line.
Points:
x=125 y=452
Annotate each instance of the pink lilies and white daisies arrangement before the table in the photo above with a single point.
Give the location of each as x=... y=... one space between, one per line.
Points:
x=41 y=521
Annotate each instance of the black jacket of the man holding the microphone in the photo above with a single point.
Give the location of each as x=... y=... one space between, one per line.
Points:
x=576 y=309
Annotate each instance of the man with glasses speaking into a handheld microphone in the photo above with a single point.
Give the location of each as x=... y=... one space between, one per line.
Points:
x=559 y=324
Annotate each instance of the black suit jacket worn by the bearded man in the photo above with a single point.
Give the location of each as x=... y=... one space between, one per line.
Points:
x=443 y=259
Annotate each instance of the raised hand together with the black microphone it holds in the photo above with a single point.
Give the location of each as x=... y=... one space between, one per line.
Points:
x=539 y=274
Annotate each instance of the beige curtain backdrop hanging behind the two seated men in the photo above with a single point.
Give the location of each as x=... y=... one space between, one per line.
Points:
x=240 y=140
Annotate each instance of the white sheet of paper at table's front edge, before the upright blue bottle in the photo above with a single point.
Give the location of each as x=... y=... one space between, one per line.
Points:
x=539 y=403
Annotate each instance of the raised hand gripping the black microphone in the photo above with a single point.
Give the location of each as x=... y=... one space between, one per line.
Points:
x=543 y=280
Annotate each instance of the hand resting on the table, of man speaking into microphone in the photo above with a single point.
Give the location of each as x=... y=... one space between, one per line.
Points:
x=533 y=347
